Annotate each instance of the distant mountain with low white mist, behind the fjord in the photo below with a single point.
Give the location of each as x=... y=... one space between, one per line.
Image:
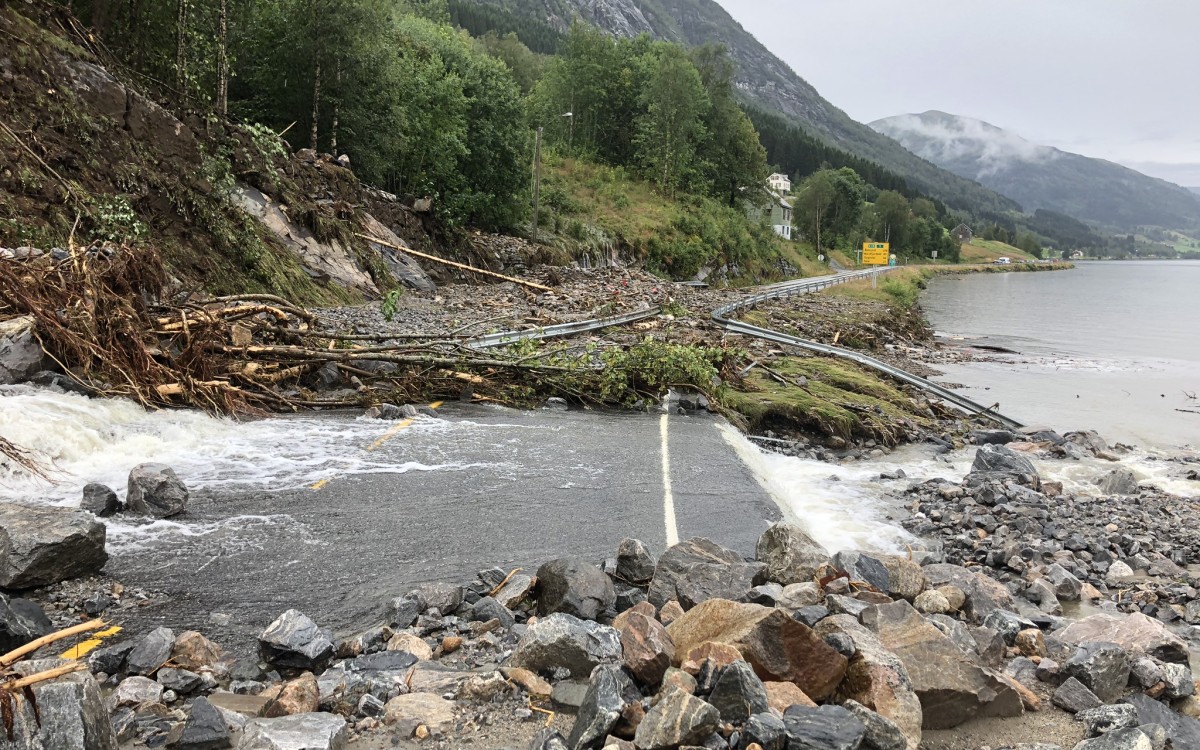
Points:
x=1041 y=177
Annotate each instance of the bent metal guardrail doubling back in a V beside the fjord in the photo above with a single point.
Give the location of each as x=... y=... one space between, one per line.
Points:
x=807 y=286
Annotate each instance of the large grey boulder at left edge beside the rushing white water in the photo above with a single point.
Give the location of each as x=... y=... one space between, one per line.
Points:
x=44 y=545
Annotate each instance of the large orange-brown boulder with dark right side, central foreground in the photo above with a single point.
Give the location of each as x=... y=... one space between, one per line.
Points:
x=778 y=647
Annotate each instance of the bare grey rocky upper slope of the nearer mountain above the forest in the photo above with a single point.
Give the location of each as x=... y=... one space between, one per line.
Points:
x=764 y=80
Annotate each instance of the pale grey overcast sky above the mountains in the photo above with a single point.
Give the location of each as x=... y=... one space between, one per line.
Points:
x=1117 y=80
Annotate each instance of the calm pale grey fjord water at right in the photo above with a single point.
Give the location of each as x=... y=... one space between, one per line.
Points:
x=1109 y=346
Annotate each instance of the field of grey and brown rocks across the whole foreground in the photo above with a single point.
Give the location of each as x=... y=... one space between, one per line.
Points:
x=700 y=647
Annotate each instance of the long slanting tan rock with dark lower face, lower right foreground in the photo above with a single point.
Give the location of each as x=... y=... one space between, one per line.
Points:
x=952 y=688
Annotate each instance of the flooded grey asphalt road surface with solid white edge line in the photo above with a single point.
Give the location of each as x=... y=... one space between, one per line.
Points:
x=484 y=488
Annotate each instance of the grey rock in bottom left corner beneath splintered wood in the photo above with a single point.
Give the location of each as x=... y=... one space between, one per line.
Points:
x=68 y=713
